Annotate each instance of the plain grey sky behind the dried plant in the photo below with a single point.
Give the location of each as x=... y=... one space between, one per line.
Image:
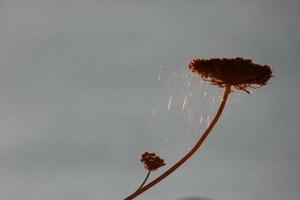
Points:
x=78 y=82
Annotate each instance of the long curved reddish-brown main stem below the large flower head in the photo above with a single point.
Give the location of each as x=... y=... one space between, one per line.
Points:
x=190 y=153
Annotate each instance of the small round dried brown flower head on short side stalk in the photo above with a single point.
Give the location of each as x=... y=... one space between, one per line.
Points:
x=152 y=161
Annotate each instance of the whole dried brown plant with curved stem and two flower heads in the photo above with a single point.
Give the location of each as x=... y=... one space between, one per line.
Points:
x=226 y=73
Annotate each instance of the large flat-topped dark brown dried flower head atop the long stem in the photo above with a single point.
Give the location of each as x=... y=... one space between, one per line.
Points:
x=238 y=72
